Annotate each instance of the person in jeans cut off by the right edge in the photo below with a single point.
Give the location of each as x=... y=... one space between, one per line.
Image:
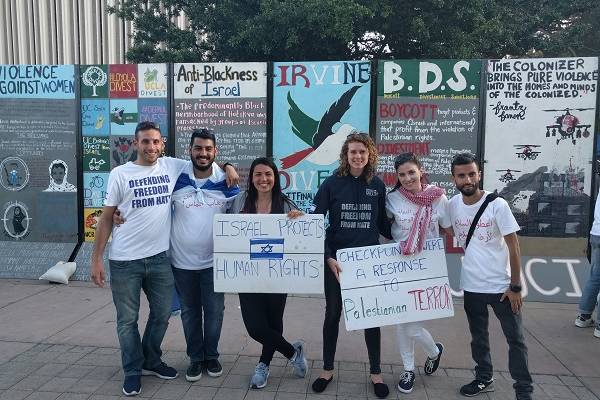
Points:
x=592 y=287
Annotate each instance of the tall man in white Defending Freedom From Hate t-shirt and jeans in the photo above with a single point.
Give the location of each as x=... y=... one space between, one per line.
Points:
x=137 y=255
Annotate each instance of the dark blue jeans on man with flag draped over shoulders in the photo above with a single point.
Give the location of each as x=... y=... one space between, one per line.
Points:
x=196 y=294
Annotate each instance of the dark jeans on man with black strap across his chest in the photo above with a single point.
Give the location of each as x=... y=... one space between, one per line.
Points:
x=476 y=309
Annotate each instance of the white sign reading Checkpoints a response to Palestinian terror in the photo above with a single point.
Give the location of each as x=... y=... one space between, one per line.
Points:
x=382 y=287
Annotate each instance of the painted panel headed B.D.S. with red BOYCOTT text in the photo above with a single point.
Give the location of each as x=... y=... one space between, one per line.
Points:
x=430 y=108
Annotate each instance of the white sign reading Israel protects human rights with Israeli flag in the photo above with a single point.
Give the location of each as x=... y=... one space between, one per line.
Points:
x=268 y=253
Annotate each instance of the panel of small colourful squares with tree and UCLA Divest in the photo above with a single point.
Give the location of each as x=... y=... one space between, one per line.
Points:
x=115 y=98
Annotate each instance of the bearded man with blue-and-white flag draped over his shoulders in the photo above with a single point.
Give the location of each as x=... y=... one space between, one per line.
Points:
x=201 y=192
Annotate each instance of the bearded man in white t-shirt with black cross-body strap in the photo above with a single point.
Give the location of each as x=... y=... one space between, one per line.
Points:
x=490 y=275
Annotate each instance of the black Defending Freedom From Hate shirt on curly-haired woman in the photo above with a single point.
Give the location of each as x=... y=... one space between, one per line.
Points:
x=356 y=212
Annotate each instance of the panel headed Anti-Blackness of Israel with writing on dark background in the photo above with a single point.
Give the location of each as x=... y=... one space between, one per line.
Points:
x=229 y=98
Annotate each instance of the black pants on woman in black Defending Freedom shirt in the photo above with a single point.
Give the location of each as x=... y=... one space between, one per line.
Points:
x=333 y=312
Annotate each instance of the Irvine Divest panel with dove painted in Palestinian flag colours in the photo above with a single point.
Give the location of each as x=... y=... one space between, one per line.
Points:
x=316 y=105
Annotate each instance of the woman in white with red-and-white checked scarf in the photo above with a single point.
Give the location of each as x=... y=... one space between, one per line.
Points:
x=417 y=211
